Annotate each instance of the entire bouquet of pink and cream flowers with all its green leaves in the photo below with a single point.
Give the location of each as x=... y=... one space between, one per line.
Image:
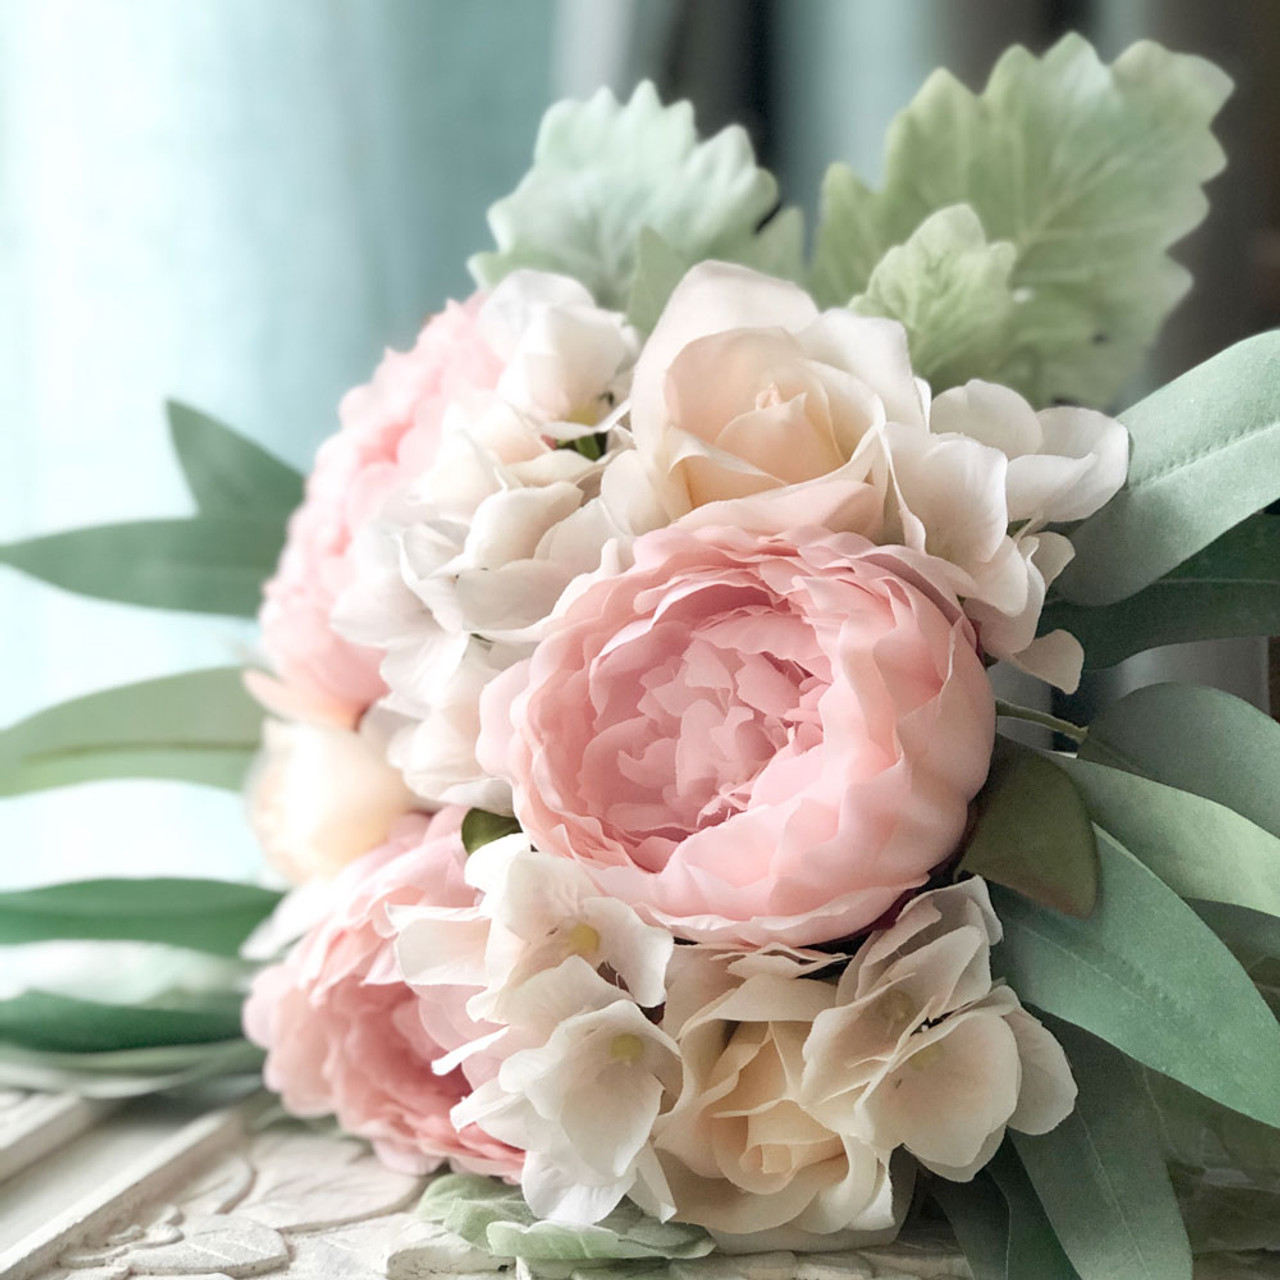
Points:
x=670 y=870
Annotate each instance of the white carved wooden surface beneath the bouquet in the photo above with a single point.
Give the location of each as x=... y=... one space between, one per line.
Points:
x=222 y=1197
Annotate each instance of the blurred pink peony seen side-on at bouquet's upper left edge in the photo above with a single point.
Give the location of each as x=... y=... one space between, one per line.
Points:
x=390 y=433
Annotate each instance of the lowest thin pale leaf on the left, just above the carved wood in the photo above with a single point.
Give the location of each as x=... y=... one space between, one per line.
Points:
x=126 y=1073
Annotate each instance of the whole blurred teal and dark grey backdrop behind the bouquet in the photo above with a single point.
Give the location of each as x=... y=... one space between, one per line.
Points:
x=240 y=204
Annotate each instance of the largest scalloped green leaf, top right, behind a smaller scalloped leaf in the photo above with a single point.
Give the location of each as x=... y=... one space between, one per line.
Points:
x=1090 y=217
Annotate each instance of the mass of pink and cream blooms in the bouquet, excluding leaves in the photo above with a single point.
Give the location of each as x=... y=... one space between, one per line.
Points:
x=710 y=616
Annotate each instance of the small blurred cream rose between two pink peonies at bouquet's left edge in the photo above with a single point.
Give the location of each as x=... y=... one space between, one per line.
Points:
x=322 y=797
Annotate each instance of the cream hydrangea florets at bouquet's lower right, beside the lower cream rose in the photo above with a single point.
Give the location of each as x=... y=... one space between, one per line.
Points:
x=922 y=1050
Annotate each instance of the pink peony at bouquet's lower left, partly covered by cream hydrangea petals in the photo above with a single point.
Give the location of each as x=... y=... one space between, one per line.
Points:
x=345 y=1034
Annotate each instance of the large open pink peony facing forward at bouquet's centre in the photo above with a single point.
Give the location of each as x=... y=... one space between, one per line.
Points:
x=749 y=739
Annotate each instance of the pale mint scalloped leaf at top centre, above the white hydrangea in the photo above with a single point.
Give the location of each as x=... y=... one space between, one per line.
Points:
x=606 y=171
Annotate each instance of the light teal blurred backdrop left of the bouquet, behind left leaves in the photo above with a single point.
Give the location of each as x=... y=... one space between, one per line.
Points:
x=236 y=203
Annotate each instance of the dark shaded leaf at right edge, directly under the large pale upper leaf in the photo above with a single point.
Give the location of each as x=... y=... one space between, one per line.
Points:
x=1229 y=589
